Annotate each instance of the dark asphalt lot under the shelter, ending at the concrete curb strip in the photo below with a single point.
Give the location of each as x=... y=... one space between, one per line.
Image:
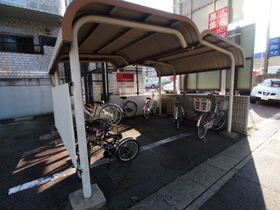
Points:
x=30 y=156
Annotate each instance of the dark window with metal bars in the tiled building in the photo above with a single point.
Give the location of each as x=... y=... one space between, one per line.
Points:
x=19 y=44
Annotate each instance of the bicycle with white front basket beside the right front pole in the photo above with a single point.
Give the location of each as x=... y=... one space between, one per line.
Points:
x=213 y=115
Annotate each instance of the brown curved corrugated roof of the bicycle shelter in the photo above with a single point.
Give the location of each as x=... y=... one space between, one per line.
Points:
x=137 y=39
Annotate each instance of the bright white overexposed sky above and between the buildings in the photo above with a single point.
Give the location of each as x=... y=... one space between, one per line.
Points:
x=255 y=11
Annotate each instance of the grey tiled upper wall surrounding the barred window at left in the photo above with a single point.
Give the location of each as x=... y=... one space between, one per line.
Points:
x=22 y=65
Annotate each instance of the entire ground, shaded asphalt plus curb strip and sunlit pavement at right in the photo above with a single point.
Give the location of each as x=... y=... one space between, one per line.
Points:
x=174 y=170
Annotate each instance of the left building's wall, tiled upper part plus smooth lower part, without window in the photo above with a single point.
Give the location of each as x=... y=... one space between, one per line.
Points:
x=25 y=86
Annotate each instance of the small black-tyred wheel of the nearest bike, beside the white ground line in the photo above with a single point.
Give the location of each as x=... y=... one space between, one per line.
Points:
x=127 y=150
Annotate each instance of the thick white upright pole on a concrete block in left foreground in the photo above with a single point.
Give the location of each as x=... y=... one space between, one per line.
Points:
x=79 y=111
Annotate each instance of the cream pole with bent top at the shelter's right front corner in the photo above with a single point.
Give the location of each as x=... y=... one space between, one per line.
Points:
x=232 y=66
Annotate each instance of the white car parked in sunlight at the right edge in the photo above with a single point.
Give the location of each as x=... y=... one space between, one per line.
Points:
x=269 y=89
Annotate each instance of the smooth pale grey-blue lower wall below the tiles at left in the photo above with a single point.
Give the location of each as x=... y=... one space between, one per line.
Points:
x=22 y=101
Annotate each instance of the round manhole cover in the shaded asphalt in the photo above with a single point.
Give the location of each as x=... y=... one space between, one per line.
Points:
x=174 y=161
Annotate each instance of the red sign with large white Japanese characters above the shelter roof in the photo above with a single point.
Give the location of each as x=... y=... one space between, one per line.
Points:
x=218 y=21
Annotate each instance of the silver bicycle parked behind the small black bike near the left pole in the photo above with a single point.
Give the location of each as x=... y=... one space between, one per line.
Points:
x=106 y=112
